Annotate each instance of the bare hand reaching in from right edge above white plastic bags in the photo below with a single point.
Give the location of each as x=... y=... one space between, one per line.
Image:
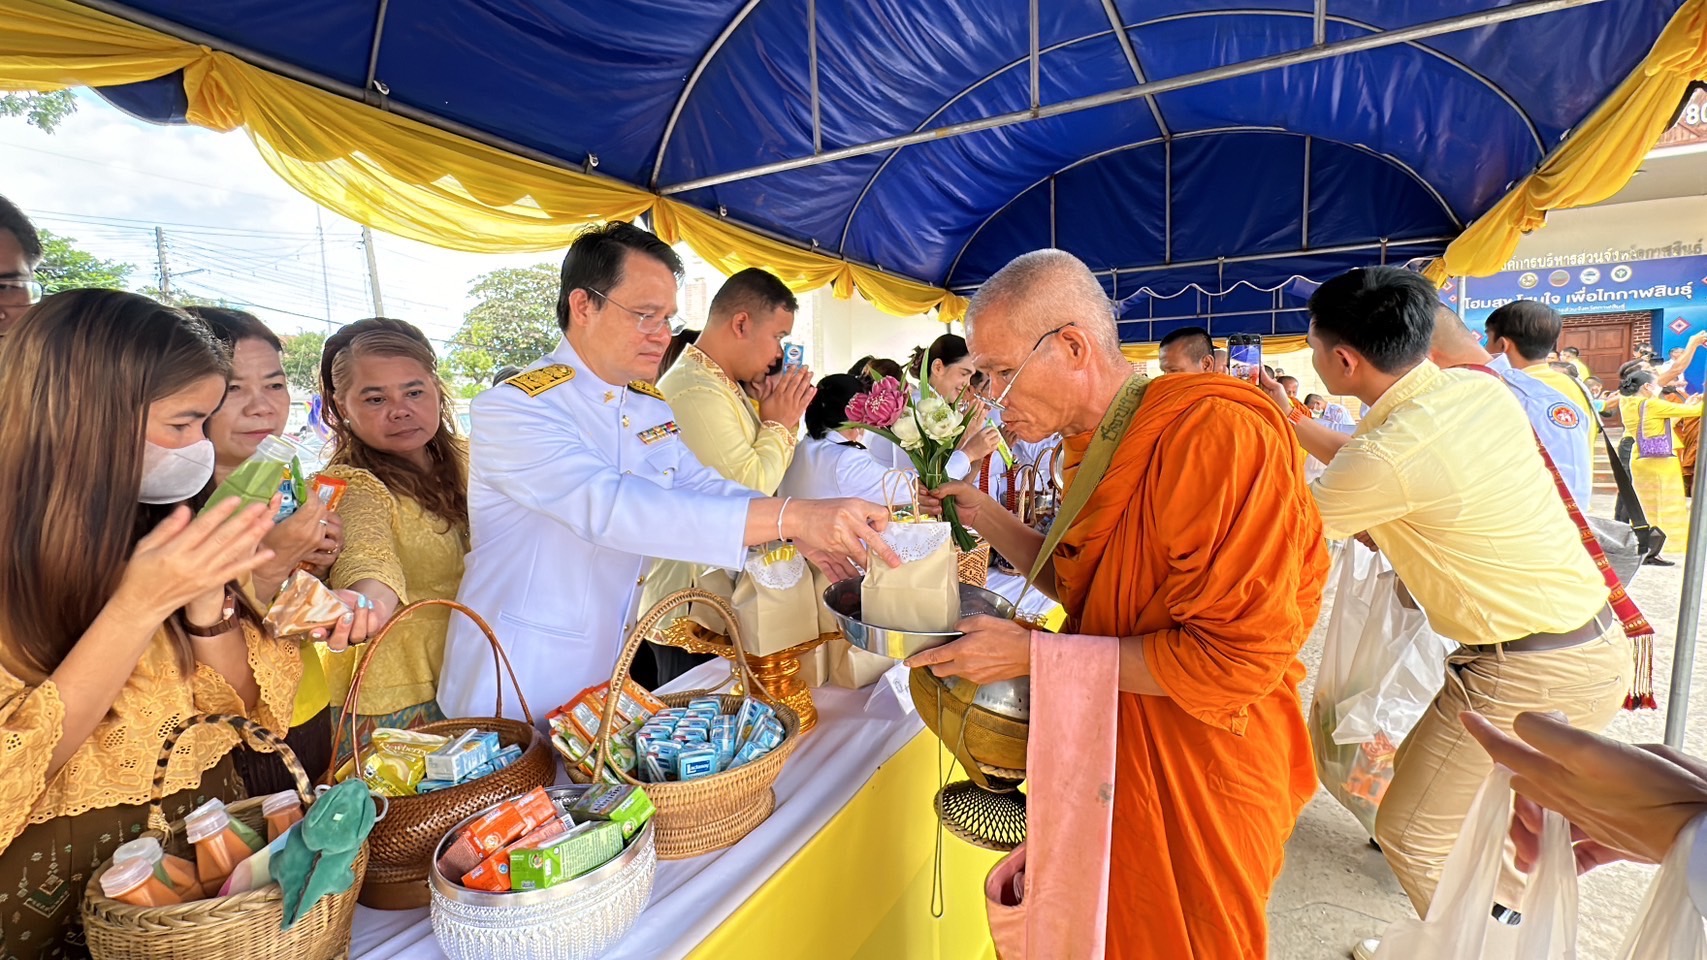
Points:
x=1628 y=799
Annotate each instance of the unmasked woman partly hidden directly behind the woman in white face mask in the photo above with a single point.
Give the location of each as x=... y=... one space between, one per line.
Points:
x=259 y=406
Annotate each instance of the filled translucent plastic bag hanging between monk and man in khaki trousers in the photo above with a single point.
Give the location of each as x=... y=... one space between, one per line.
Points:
x=1382 y=665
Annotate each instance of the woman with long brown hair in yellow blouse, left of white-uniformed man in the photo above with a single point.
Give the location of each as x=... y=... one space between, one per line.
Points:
x=405 y=512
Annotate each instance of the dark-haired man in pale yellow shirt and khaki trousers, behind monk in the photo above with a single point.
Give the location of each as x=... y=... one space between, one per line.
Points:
x=1445 y=477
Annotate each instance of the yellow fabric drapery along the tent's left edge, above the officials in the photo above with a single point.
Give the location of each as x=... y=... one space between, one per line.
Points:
x=399 y=175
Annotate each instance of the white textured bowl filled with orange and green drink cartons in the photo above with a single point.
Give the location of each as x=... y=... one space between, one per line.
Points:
x=574 y=884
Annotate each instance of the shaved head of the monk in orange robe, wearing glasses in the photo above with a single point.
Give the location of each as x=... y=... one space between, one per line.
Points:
x=1044 y=334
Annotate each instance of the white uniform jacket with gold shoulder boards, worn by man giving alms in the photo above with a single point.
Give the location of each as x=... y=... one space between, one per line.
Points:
x=571 y=491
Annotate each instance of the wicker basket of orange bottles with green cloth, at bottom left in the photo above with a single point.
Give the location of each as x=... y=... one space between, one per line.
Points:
x=207 y=927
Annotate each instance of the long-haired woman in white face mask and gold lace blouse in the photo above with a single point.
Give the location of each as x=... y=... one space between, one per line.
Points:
x=119 y=612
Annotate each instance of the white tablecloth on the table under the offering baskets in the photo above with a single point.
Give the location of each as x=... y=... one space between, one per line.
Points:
x=858 y=730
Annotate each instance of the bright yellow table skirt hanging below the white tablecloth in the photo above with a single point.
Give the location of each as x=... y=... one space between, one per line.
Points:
x=861 y=889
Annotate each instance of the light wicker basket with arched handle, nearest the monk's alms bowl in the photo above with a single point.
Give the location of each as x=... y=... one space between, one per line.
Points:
x=709 y=814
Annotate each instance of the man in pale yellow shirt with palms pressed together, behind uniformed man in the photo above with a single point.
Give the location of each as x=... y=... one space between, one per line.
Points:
x=747 y=442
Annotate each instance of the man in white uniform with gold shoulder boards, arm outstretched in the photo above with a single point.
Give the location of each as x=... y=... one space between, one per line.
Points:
x=578 y=476
